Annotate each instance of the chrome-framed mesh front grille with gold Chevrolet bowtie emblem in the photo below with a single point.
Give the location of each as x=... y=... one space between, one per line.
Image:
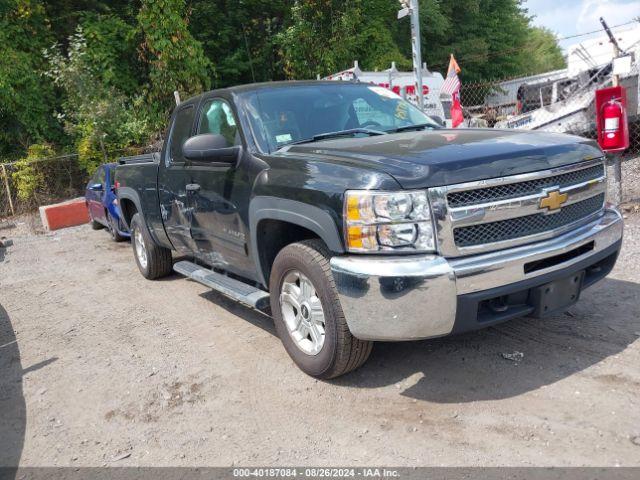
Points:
x=504 y=212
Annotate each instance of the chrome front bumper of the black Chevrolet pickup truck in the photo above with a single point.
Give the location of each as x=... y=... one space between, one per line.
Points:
x=424 y=296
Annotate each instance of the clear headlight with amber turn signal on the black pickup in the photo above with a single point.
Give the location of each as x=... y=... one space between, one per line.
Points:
x=388 y=221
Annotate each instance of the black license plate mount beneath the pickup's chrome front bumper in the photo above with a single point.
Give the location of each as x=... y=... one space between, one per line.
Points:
x=556 y=296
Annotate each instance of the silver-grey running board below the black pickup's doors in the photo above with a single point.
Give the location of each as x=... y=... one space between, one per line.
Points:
x=232 y=288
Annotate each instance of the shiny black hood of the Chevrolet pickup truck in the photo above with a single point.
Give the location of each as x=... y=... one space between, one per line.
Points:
x=447 y=156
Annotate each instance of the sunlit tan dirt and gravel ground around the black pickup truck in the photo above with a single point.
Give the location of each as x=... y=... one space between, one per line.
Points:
x=99 y=366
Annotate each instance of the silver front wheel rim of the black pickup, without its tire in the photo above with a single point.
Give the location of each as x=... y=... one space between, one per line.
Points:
x=302 y=312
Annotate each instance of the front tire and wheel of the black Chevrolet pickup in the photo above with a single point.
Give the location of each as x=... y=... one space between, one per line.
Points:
x=340 y=351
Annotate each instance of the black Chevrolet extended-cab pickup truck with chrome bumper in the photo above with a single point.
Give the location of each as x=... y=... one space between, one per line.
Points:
x=357 y=218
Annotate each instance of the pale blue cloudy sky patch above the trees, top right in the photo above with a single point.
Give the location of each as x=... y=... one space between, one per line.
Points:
x=571 y=17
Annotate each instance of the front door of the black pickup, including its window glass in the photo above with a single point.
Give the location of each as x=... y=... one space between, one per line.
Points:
x=217 y=228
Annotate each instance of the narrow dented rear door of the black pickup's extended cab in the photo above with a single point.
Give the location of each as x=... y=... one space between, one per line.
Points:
x=173 y=179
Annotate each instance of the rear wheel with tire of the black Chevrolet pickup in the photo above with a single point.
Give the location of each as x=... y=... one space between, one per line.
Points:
x=156 y=261
